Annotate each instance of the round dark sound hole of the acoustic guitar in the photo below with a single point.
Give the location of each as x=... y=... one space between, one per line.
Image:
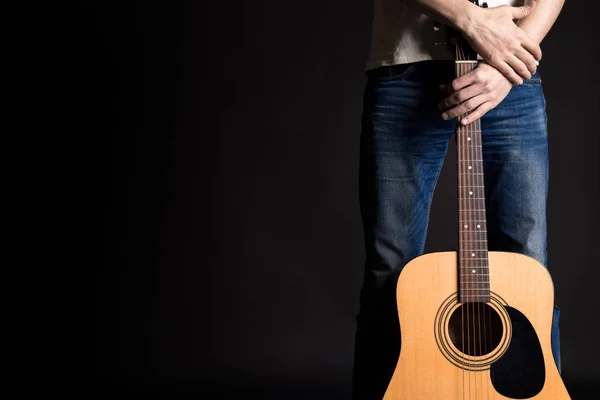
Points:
x=475 y=329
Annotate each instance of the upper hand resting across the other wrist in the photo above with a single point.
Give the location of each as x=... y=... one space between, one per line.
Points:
x=493 y=34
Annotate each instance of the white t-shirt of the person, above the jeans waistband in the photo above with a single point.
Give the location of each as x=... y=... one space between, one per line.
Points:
x=401 y=34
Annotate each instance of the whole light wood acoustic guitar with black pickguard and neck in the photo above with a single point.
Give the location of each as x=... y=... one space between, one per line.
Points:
x=474 y=324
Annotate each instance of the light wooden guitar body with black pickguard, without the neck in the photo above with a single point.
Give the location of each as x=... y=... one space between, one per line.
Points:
x=432 y=366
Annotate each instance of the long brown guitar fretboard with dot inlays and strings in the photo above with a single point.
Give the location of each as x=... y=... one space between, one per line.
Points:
x=473 y=265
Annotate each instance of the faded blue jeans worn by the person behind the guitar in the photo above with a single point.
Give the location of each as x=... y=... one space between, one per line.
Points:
x=402 y=147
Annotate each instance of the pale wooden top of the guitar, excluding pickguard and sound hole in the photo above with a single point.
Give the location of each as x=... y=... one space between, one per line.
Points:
x=425 y=370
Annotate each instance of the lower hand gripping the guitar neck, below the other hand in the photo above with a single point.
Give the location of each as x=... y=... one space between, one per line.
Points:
x=477 y=91
